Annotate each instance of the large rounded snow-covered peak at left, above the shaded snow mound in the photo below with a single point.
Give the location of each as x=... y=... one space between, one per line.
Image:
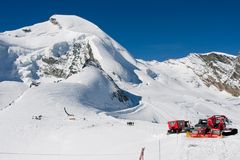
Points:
x=59 y=48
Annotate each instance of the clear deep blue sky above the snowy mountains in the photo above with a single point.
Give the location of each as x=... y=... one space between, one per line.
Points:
x=149 y=29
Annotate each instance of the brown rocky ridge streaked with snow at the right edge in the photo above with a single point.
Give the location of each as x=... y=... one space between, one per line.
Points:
x=219 y=70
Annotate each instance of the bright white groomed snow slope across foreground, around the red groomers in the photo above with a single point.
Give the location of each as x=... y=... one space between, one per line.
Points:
x=97 y=134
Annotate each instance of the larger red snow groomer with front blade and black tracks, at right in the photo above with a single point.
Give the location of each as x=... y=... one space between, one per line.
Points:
x=213 y=127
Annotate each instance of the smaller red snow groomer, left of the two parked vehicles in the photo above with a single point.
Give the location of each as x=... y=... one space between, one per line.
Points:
x=178 y=126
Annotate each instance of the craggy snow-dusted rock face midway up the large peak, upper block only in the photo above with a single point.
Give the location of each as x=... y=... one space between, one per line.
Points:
x=72 y=62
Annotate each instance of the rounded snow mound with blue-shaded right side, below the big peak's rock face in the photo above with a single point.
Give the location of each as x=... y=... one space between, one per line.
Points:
x=90 y=91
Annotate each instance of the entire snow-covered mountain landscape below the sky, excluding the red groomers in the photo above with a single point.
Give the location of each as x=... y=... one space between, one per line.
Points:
x=68 y=63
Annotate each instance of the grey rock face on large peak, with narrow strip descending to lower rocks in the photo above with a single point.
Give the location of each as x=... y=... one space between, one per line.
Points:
x=74 y=61
